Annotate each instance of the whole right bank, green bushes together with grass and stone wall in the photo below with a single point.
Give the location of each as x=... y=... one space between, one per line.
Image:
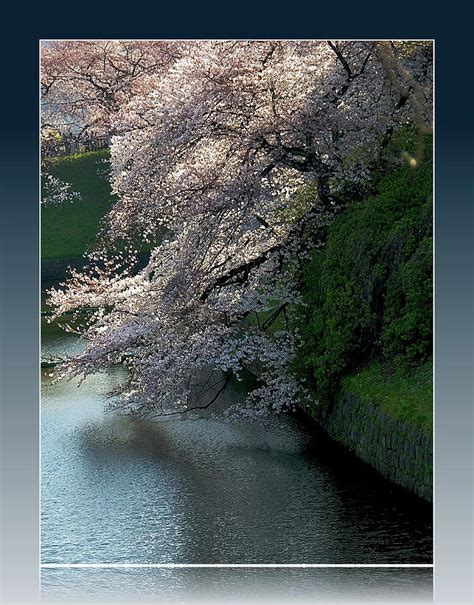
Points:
x=366 y=327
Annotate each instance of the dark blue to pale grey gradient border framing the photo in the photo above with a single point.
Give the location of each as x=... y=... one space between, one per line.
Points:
x=19 y=258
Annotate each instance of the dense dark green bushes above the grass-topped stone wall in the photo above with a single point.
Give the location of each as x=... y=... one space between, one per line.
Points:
x=368 y=292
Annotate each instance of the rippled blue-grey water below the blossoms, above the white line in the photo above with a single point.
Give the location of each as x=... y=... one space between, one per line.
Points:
x=206 y=490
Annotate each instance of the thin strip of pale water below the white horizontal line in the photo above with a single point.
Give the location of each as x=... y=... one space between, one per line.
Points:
x=238 y=585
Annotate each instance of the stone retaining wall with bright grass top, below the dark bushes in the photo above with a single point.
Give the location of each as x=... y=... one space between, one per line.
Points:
x=362 y=425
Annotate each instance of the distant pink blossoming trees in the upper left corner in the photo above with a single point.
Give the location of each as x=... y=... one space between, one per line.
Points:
x=84 y=82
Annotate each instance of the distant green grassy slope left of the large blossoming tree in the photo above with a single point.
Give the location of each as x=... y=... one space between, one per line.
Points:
x=67 y=230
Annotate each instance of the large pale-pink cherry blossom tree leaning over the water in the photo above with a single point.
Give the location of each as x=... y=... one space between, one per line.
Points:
x=242 y=152
